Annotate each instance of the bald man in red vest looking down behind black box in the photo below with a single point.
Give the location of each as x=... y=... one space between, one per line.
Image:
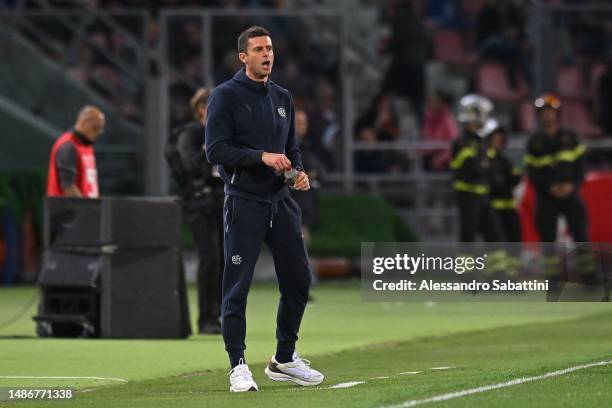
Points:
x=72 y=165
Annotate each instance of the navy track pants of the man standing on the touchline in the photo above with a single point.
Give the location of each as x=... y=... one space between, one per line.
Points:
x=248 y=224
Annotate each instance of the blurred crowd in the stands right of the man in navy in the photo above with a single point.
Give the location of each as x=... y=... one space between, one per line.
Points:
x=485 y=42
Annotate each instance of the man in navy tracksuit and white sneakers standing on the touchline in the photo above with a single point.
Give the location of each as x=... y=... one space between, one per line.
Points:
x=250 y=135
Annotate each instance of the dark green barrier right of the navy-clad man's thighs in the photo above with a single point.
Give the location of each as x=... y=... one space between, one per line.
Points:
x=348 y=220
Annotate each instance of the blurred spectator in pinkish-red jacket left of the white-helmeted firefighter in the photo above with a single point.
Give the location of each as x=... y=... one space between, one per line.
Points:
x=439 y=125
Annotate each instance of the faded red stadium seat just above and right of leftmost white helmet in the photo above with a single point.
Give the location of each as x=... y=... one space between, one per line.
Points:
x=492 y=82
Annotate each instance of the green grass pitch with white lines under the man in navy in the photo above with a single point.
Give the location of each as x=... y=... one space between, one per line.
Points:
x=388 y=348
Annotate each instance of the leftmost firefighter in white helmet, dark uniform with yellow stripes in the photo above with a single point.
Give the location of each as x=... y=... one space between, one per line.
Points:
x=471 y=164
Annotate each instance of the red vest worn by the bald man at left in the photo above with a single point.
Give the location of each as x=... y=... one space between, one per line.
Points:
x=87 y=173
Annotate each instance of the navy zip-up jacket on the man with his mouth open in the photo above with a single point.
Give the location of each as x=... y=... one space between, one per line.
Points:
x=246 y=118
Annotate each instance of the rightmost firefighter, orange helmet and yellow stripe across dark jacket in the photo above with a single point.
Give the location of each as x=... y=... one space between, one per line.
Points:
x=555 y=163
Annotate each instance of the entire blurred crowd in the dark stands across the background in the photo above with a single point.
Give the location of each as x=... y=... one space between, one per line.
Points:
x=486 y=42
